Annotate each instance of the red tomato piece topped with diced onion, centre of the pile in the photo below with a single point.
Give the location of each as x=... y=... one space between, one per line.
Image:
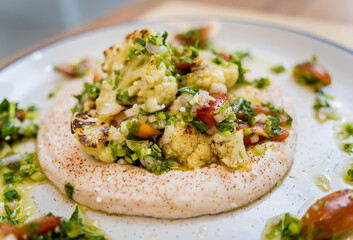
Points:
x=206 y=114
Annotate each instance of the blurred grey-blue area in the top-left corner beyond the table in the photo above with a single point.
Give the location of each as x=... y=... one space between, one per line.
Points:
x=26 y=23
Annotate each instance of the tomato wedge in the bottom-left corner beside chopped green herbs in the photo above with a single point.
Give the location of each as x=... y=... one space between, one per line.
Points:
x=45 y=224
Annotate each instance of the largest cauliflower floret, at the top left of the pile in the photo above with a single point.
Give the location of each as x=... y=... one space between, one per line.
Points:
x=141 y=77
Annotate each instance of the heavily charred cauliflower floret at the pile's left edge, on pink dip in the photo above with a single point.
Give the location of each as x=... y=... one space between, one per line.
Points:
x=92 y=134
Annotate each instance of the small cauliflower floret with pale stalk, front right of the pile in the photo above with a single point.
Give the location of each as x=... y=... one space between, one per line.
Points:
x=231 y=150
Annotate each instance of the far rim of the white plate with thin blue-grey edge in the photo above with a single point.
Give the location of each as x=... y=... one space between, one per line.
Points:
x=243 y=21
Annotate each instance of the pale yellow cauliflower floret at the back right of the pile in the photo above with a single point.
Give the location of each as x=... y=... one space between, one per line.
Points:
x=204 y=77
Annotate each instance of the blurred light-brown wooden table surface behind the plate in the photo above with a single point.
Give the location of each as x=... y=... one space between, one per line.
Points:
x=332 y=18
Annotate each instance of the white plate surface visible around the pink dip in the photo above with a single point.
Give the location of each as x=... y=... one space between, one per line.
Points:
x=31 y=78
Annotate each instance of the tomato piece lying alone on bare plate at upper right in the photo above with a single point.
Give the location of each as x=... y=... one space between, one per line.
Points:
x=311 y=72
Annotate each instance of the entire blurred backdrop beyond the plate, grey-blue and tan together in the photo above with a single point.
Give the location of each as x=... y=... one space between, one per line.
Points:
x=26 y=24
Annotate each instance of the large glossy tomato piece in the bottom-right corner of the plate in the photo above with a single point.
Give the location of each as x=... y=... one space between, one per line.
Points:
x=329 y=217
